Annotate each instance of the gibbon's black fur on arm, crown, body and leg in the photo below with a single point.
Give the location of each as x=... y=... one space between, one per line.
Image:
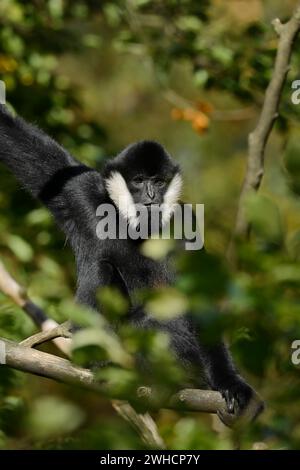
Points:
x=72 y=192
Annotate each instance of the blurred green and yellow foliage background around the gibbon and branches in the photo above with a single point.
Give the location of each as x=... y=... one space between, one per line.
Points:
x=98 y=75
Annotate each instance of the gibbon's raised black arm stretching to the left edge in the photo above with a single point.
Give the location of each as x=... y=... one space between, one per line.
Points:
x=69 y=189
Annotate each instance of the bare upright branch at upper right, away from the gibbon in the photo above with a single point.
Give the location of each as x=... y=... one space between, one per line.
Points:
x=258 y=138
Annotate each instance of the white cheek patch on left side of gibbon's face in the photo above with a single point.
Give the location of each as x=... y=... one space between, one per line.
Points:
x=119 y=193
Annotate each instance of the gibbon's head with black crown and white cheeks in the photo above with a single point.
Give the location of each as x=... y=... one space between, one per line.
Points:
x=143 y=173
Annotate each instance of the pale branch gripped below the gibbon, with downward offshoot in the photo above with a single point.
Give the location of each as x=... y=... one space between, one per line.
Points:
x=62 y=370
